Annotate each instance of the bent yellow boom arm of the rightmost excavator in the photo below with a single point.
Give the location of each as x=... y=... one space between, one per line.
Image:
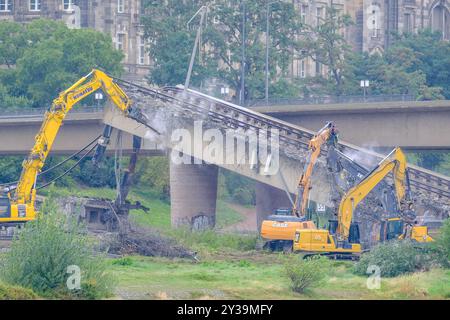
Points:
x=395 y=162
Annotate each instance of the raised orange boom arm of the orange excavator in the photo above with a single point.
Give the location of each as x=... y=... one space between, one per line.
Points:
x=304 y=183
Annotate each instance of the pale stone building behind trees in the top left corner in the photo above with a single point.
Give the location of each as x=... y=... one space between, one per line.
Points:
x=119 y=18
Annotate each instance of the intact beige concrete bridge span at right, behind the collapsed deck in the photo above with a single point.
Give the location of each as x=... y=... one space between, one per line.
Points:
x=413 y=125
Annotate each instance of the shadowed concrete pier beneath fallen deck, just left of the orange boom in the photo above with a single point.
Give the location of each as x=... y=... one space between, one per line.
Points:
x=269 y=199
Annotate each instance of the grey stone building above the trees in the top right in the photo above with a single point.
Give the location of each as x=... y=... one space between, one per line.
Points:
x=375 y=23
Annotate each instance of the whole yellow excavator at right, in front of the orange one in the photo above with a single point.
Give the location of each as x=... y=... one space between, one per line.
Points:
x=342 y=238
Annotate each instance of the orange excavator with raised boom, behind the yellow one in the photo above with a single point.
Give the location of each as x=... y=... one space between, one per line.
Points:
x=278 y=229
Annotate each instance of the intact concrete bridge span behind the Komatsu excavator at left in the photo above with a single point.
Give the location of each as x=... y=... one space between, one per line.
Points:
x=17 y=133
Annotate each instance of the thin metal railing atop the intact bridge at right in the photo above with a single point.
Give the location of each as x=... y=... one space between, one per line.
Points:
x=330 y=100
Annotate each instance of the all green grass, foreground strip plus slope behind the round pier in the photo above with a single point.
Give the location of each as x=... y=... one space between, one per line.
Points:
x=231 y=269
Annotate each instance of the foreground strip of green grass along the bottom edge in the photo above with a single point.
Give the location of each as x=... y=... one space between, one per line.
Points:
x=261 y=276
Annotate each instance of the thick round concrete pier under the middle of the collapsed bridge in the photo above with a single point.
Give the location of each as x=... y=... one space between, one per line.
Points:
x=193 y=194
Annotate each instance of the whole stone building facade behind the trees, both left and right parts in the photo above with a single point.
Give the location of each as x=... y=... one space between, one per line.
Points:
x=375 y=23
